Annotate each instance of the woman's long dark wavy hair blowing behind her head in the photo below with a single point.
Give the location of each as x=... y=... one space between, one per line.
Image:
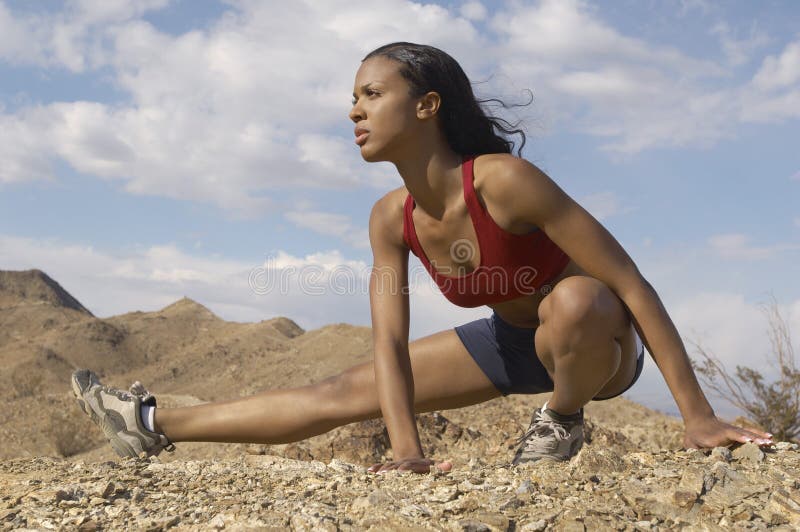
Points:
x=468 y=128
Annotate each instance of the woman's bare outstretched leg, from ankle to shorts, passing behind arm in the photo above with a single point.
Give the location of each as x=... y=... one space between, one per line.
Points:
x=445 y=376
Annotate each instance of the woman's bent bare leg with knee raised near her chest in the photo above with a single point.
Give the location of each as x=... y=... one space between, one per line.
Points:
x=586 y=342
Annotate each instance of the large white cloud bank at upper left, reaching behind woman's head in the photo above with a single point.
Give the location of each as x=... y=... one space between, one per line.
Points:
x=226 y=115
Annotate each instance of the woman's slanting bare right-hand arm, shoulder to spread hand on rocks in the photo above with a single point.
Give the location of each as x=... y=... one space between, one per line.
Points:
x=536 y=199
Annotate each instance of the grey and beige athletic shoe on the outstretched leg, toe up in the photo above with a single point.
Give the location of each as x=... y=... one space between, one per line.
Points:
x=118 y=414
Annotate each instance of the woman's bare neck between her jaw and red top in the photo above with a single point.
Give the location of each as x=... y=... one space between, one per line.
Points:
x=433 y=177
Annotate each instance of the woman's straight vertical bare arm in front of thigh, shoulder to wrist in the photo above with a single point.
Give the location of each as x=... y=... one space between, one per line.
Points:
x=388 y=291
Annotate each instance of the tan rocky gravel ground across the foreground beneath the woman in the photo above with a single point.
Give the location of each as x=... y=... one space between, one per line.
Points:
x=599 y=490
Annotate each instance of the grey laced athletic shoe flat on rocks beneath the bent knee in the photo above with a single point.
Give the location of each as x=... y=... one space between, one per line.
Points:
x=550 y=436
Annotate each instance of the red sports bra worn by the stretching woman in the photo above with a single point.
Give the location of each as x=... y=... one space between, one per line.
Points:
x=511 y=265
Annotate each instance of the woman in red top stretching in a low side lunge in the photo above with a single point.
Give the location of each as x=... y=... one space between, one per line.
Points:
x=569 y=305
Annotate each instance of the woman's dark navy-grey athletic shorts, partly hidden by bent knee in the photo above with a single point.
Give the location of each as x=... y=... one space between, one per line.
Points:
x=507 y=355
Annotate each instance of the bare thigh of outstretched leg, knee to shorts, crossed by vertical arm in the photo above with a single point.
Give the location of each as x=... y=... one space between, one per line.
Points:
x=445 y=376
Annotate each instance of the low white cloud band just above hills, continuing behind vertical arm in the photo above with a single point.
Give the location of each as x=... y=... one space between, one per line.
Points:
x=314 y=290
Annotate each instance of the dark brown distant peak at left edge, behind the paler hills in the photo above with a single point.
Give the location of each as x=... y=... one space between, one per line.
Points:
x=35 y=287
